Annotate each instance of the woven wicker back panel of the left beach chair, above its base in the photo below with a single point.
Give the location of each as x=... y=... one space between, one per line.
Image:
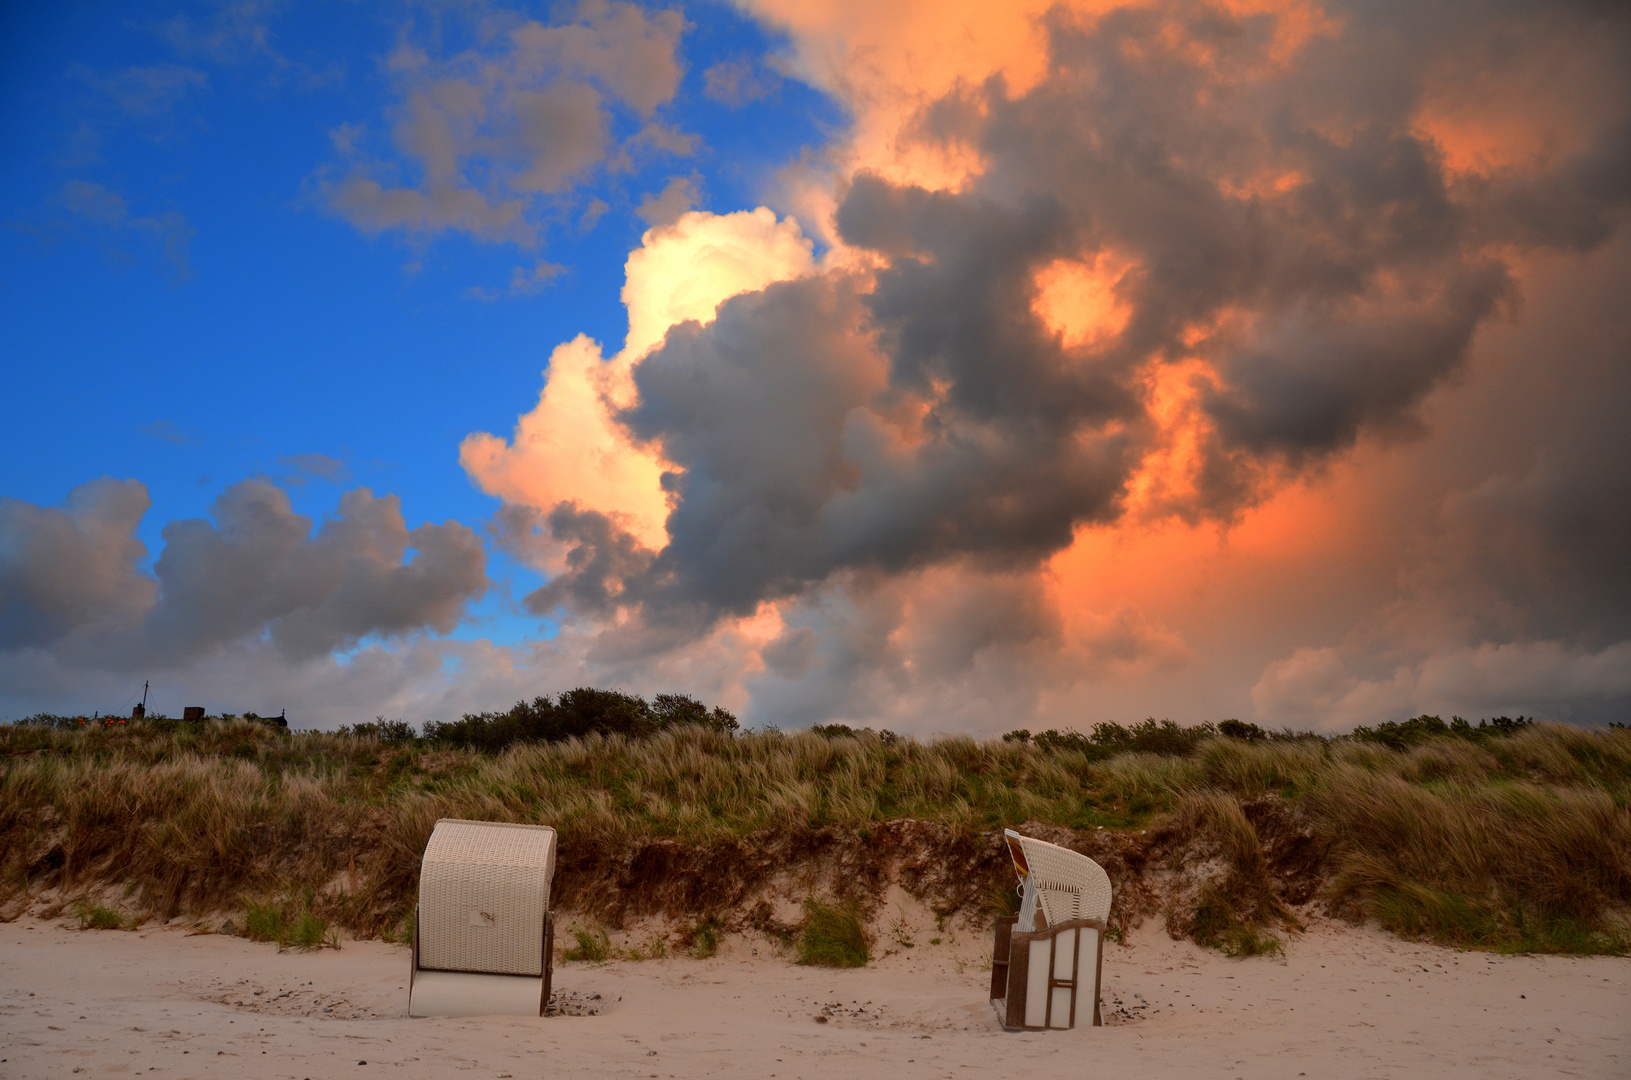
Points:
x=484 y=895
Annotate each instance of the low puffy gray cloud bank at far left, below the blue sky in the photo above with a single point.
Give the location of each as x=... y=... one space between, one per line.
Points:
x=69 y=578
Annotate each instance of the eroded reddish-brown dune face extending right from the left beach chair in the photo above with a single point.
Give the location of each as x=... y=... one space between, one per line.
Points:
x=758 y=882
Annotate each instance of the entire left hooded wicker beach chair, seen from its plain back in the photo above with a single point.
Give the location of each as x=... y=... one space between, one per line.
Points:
x=484 y=936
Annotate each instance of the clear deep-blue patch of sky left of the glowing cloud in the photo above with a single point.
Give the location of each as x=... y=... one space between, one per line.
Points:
x=182 y=308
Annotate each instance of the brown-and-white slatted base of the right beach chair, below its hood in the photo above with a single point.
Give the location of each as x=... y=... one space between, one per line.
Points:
x=1041 y=980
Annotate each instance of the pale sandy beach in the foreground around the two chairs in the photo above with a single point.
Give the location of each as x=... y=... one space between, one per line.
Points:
x=1341 y=1004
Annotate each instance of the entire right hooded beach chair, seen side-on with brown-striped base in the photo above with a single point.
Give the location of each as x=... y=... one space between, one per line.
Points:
x=1038 y=965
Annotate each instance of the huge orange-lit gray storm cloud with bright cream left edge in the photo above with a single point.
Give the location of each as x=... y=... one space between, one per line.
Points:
x=1118 y=384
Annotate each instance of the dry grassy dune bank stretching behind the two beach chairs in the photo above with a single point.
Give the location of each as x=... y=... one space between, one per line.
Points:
x=1508 y=843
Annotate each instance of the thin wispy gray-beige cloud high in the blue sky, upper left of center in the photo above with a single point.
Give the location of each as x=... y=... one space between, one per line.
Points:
x=488 y=139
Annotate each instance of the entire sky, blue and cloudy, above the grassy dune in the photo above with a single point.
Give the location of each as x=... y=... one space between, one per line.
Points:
x=945 y=368
